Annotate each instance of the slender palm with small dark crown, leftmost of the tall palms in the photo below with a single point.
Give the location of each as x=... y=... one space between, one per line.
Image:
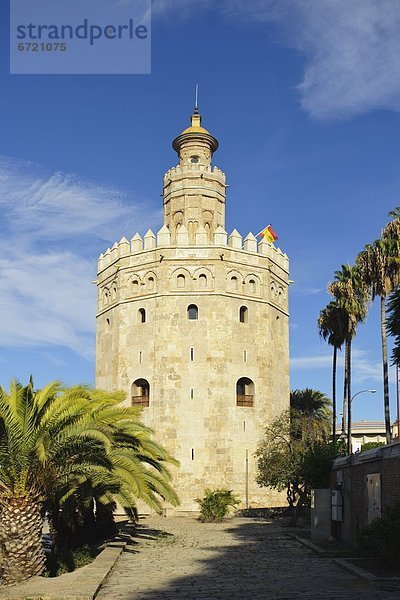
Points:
x=332 y=323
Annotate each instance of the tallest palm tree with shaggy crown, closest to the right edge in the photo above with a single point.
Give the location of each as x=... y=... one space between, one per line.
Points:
x=380 y=271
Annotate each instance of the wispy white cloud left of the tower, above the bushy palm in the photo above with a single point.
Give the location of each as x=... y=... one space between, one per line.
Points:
x=52 y=228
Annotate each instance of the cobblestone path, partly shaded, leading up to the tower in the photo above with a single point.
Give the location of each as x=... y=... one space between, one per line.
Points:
x=178 y=558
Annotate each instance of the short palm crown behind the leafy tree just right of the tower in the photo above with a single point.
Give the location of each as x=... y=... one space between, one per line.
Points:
x=312 y=413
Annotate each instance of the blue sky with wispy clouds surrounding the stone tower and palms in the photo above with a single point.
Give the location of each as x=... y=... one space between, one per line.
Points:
x=304 y=97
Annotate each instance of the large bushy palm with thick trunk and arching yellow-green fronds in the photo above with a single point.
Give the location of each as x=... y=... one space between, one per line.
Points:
x=52 y=443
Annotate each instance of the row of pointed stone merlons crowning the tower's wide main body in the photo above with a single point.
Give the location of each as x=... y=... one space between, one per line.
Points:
x=150 y=242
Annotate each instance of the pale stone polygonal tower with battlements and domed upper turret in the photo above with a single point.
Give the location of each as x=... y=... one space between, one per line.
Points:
x=193 y=325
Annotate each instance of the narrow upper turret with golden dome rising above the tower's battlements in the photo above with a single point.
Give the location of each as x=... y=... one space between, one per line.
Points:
x=194 y=192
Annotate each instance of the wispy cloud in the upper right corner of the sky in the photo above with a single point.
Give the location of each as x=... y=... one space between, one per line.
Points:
x=351 y=48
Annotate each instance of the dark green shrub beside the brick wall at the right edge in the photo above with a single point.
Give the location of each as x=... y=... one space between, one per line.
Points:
x=381 y=539
